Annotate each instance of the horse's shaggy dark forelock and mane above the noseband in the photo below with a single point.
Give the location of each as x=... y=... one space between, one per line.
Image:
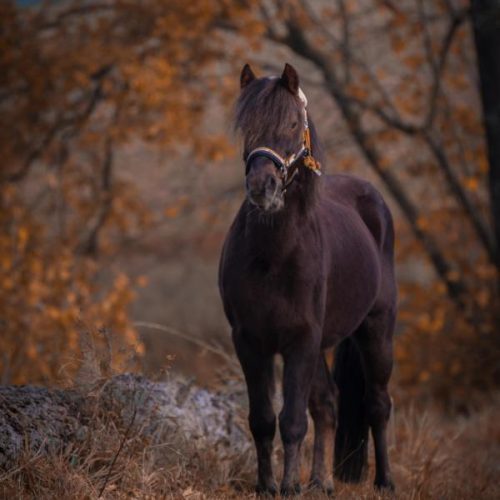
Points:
x=264 y=106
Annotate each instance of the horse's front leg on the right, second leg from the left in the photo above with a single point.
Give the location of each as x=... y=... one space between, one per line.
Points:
x=300 y=365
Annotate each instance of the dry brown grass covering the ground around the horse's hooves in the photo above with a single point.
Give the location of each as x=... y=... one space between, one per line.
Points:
x=432 y=455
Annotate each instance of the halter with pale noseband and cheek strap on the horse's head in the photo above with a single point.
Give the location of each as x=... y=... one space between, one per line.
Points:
x=288 y=167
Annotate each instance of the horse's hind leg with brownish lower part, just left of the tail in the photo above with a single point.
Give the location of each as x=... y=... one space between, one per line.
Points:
x=322 y=406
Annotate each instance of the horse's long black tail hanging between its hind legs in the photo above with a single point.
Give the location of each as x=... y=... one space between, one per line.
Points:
x=351 y=439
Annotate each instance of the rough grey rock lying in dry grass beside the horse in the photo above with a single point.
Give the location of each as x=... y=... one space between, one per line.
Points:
x=46 y=420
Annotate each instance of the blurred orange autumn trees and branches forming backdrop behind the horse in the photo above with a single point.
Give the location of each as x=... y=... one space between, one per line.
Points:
x=120 y=173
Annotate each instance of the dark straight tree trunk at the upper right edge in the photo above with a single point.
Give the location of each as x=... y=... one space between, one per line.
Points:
x=486 y=25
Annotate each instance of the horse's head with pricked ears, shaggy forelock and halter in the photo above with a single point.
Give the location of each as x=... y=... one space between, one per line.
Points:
x=271 y=116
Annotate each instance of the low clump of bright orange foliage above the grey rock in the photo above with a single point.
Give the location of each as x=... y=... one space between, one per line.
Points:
x=46 y=293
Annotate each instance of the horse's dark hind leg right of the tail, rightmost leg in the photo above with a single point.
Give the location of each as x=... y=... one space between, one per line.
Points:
x=375 y=343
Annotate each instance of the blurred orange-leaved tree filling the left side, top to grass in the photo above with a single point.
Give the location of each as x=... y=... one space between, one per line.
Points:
x=77 y=81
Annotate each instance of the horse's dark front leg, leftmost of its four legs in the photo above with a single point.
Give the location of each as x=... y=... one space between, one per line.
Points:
x=259 y=376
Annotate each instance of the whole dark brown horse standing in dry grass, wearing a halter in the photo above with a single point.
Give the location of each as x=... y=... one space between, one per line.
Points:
x=307 y=265
